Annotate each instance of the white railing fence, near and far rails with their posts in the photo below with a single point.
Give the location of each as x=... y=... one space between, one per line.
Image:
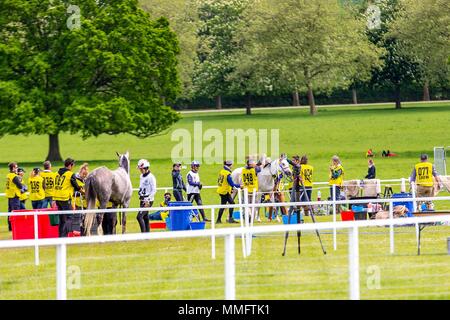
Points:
x=230 y=233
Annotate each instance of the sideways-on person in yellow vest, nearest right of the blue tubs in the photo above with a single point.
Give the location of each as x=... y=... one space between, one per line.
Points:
x=225 y=186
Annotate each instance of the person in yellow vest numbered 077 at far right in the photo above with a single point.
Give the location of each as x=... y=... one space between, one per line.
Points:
x=422 y=175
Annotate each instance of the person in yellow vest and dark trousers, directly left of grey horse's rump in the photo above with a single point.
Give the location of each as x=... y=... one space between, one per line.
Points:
x=65 y=187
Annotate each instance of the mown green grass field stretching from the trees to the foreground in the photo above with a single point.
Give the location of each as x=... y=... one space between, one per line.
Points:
x=183 y=269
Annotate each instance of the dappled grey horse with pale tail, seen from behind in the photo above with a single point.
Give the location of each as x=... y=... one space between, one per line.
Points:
x=105 y=185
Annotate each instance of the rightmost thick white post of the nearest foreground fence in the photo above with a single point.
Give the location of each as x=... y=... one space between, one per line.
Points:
x=353 y=262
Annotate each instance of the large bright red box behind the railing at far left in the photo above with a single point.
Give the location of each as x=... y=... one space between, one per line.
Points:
x=23 y=226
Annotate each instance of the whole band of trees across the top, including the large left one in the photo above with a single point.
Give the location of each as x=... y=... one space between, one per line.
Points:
x=109 y=67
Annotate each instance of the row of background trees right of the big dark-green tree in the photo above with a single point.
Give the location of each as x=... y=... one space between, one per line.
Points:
x=251 y=48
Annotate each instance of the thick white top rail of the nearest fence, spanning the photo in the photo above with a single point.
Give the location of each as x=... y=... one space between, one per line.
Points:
x=222 y=232
